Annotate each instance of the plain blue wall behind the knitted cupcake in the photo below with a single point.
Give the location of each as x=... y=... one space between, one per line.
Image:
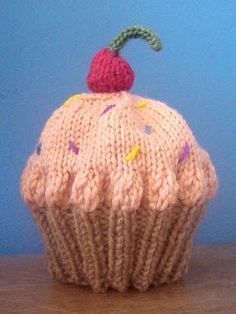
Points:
x=45 y=51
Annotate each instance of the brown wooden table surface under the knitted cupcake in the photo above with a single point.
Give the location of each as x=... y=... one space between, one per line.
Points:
x=209 y=287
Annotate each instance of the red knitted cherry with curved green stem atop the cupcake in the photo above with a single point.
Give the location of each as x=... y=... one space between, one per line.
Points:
x=109 y=72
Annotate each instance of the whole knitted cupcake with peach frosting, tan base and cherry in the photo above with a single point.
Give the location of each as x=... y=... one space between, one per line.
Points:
x=118 y=183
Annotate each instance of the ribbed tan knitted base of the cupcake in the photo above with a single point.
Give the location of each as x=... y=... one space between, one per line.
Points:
x=107 y=248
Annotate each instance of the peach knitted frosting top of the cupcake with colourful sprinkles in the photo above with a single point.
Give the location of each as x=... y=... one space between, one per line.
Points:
x=94 y=172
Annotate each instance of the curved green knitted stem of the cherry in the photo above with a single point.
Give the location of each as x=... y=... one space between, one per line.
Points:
x=135 y=32
